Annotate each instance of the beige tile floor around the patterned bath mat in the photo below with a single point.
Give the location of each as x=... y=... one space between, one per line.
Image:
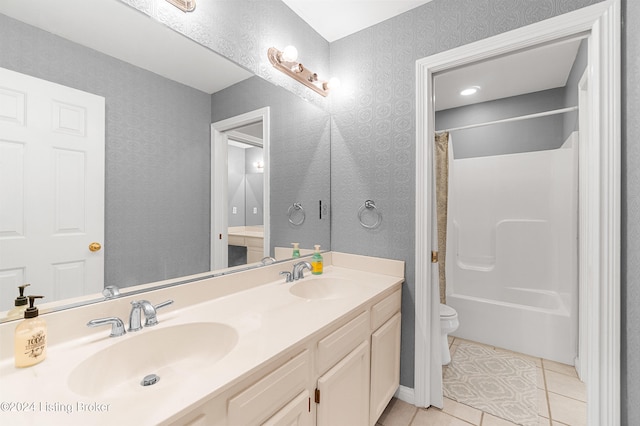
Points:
x=561 y=401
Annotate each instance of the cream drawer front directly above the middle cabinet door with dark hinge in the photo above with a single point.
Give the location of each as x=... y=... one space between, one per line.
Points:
x=338 y=344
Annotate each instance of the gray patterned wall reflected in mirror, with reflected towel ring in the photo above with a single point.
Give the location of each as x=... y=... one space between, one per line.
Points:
x=299 y=157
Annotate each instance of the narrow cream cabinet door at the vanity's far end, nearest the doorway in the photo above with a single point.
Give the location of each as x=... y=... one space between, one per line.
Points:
x=385 y=366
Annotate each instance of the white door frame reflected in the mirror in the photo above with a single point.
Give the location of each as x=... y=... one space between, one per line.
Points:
x=219 y=182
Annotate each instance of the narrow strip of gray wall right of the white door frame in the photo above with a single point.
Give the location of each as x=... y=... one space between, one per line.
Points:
x=631 y=215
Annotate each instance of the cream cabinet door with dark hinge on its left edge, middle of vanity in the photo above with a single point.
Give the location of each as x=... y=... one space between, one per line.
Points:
x=342 y=396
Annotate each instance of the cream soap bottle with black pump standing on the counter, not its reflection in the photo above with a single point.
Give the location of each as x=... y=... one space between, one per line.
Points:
x=30 y=341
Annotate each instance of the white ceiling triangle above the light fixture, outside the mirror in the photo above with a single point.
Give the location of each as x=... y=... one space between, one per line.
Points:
x=335 y=19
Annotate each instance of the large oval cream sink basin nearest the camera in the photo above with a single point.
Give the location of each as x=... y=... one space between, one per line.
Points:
x=172 y=354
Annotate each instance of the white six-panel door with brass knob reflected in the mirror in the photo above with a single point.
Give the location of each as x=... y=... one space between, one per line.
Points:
x=51 y=188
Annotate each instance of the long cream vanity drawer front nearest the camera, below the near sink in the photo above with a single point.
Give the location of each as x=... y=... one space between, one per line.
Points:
x=263 y=399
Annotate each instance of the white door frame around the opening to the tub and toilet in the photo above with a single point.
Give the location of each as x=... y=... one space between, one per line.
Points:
x=602 y=24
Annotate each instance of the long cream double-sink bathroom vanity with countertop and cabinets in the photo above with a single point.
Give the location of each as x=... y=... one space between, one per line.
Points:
x=241 y=349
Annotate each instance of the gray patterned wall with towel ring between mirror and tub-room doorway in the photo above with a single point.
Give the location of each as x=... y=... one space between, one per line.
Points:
x=373 y=122
